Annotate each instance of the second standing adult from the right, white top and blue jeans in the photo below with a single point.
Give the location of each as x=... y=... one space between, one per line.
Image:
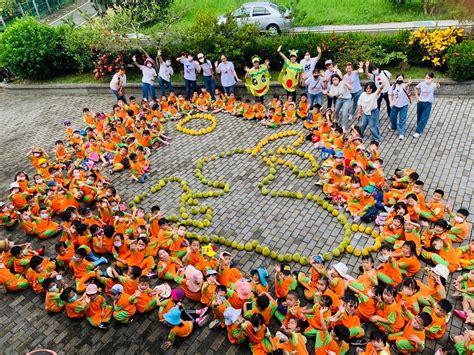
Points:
x=400 y=97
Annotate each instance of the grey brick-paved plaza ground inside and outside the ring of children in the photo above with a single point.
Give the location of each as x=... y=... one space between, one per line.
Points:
x=443 y=157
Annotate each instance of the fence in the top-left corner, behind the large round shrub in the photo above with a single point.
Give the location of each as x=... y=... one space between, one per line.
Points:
x=36 y=8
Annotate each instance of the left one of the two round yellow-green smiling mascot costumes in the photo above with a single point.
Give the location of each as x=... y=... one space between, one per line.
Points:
x=257 y=78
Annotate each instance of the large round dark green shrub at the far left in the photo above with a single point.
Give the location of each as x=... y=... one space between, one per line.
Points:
x=31 y=49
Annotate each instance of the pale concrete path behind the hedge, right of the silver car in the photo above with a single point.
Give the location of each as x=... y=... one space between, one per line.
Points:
x=385 y=27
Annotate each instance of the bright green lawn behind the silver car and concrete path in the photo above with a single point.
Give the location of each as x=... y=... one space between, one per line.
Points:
x=322 y=12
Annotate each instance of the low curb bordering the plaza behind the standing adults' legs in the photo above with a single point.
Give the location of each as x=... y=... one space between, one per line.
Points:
x=448 y=88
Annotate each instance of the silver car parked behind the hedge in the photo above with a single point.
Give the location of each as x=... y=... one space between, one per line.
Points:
x=266 y=16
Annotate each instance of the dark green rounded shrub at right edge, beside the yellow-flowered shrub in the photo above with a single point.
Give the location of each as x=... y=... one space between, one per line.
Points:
x=460 y=61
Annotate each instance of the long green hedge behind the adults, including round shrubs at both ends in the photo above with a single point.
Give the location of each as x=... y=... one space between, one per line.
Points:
x=34 y=50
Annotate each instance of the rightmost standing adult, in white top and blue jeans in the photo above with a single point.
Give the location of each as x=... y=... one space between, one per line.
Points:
x=424 y=97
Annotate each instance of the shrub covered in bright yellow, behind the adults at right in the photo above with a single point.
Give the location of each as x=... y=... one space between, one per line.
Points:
x=435 y=44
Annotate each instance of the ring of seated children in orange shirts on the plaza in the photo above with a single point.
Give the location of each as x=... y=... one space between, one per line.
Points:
x=114 y=257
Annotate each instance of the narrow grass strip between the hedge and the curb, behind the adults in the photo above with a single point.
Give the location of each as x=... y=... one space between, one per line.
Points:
x=134 y=76
